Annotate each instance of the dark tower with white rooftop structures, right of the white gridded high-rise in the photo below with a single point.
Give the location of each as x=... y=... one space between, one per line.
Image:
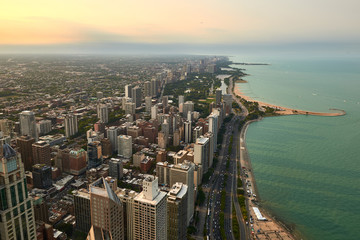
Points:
x=177 y=211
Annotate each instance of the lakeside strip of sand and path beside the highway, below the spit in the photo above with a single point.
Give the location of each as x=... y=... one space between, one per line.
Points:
x=273 y=227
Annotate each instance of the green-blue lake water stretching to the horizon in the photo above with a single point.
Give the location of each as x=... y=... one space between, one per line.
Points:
x=307 y=168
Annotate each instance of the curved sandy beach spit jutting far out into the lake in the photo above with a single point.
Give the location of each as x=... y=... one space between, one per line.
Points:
x=289 y=111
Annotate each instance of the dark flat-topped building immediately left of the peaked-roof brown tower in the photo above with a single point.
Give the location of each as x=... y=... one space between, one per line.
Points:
x=82 y=210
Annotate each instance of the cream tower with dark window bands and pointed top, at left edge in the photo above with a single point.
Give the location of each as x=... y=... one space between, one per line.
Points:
x=16 y=208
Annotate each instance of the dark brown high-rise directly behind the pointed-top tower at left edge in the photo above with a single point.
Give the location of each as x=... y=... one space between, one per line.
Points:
x=24 y=143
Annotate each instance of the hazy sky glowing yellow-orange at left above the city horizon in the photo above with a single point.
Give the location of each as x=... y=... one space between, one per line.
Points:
x=86 y=24
